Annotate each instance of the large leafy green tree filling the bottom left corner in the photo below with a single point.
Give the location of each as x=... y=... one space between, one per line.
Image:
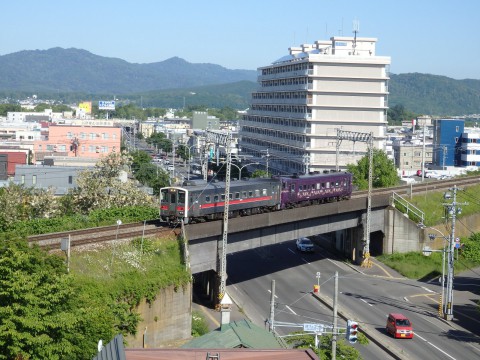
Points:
x=42 y=313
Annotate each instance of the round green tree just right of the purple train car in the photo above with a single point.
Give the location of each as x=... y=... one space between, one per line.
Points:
x=384 y=172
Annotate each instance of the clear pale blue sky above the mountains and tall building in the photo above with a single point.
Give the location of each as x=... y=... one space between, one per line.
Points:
x=439 y=37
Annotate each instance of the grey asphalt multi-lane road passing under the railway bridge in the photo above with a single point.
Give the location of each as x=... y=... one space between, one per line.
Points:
x=369 y=297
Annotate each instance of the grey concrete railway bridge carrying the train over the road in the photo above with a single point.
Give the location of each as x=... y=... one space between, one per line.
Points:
x=343 y=221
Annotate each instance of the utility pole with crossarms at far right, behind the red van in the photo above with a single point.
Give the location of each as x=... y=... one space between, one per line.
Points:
x=453 y=209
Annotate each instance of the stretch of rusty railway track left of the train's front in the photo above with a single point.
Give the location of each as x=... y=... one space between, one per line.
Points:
x=100 y=235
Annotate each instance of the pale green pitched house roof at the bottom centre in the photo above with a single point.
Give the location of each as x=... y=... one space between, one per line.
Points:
x=236 y=334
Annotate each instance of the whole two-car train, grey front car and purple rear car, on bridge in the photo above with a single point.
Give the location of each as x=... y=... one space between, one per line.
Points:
x=200 y=201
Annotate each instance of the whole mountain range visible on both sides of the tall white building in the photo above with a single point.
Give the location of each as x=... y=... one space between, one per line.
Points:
x=77 y=73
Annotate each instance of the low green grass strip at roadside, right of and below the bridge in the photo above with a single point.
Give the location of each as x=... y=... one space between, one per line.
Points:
x=414 y=265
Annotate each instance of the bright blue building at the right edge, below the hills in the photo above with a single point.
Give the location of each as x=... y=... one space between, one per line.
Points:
x=447 y=141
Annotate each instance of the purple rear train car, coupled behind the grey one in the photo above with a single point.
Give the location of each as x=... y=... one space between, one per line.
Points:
x=306 y=190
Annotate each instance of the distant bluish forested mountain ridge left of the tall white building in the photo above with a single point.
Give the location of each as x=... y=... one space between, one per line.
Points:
x=75 y=70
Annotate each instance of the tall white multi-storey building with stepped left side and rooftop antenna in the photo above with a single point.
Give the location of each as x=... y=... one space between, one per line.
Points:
x=306 y=96
